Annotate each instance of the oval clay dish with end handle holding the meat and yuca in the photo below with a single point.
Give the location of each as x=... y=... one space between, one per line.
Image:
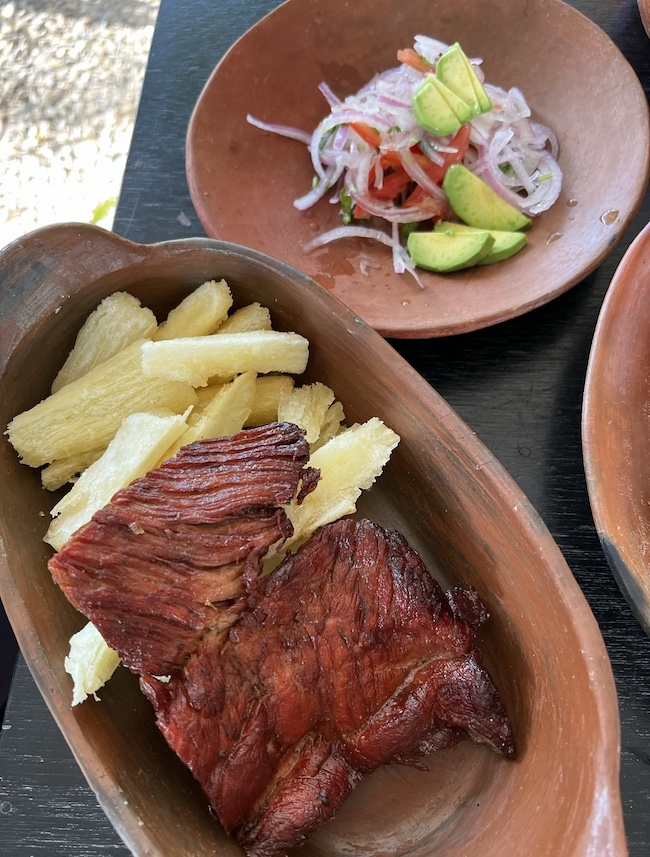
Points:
x=442 y=488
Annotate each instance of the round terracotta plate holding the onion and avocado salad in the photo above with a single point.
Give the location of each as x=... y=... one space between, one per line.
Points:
x=243 y=180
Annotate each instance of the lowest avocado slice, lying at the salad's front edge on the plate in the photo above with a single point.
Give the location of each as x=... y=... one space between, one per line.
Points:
x=443 y=252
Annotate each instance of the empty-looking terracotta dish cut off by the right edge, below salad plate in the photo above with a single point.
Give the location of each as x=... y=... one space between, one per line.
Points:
x=616 y=426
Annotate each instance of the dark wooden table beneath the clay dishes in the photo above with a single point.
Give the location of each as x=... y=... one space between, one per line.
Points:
x=518 y=385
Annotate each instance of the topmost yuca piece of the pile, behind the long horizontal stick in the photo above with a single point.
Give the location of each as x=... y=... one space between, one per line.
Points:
x=200 y=313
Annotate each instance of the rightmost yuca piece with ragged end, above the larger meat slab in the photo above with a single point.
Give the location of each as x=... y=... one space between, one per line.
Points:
x=349 y=463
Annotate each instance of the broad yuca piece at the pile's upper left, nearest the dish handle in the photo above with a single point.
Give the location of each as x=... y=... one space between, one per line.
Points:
x=118 y=321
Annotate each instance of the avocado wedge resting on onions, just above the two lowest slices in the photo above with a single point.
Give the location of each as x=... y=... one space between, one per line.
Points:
x=476 y=204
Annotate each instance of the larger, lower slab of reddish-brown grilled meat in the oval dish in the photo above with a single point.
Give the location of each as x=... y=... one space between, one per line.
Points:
x=351 y=658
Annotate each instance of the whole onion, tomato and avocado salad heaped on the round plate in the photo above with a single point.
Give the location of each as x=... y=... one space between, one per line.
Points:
x=426 y=141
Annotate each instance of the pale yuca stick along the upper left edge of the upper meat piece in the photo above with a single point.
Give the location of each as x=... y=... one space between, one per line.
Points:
x=138 y=445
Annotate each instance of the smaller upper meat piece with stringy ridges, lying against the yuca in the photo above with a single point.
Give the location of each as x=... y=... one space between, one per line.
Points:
x=171 y=555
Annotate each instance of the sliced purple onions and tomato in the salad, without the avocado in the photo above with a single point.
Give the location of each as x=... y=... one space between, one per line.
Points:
x=372 y=158
